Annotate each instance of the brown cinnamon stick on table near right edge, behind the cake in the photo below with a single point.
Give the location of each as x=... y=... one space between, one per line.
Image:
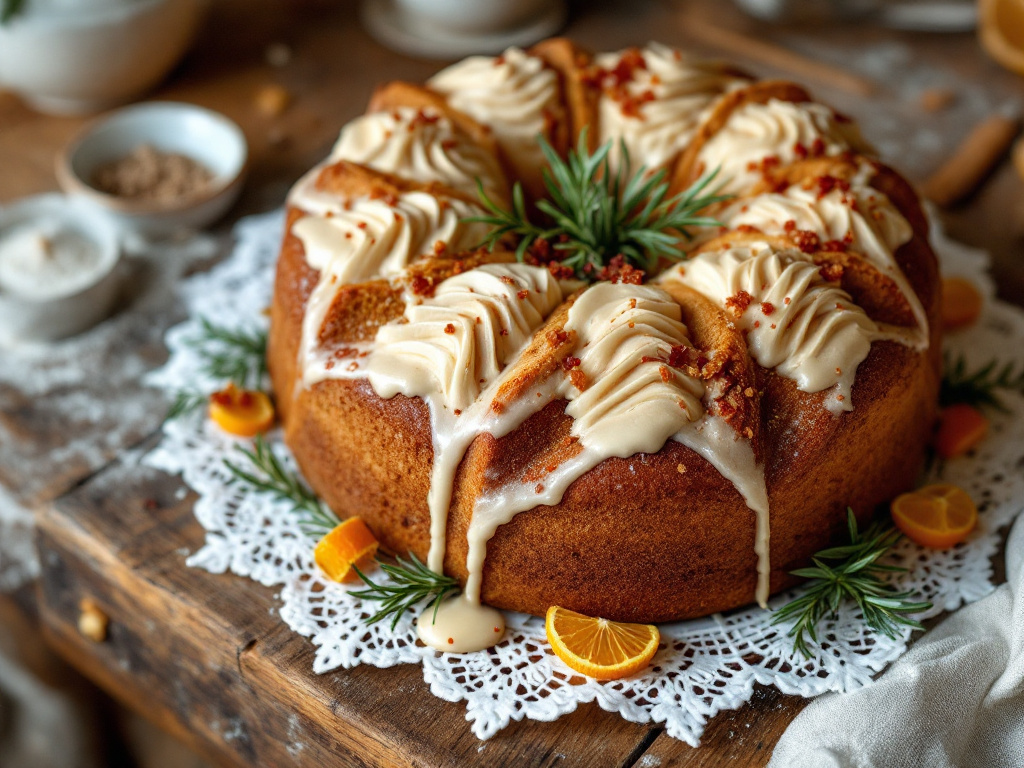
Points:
x=972 y=161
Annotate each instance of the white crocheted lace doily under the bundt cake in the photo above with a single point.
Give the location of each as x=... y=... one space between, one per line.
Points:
x=706 y=667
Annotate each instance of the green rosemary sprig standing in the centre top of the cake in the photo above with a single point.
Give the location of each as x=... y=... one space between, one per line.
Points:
x=596 y=216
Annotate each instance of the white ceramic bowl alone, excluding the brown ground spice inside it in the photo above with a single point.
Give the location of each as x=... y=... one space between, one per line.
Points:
x=201 y=135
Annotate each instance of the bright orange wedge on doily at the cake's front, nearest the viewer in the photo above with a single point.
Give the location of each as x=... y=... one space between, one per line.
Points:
x=598 y=648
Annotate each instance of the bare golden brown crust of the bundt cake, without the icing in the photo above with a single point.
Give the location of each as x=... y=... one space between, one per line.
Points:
x=652 y=538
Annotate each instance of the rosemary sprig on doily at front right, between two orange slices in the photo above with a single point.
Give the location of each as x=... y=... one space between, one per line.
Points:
x=857 y=576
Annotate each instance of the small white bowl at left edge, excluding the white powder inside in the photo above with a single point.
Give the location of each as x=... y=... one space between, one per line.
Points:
x=56 y=315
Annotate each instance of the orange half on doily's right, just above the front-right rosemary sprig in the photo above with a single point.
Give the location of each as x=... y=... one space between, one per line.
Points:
x=937 y=517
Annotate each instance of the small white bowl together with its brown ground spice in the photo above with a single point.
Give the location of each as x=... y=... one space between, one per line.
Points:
x=159 y=168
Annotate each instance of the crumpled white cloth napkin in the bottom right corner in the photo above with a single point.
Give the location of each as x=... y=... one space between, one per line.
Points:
x=955 y=701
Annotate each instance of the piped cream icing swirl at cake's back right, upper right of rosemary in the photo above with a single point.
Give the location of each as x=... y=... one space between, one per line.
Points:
x=781 y=131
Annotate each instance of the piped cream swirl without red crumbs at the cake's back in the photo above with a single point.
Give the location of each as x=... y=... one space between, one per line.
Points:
x=514 y=95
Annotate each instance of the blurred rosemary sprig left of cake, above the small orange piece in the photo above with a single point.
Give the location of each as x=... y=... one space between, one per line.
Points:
x=228 y=355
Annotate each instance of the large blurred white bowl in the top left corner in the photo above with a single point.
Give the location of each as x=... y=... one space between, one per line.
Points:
x=82 y=60
